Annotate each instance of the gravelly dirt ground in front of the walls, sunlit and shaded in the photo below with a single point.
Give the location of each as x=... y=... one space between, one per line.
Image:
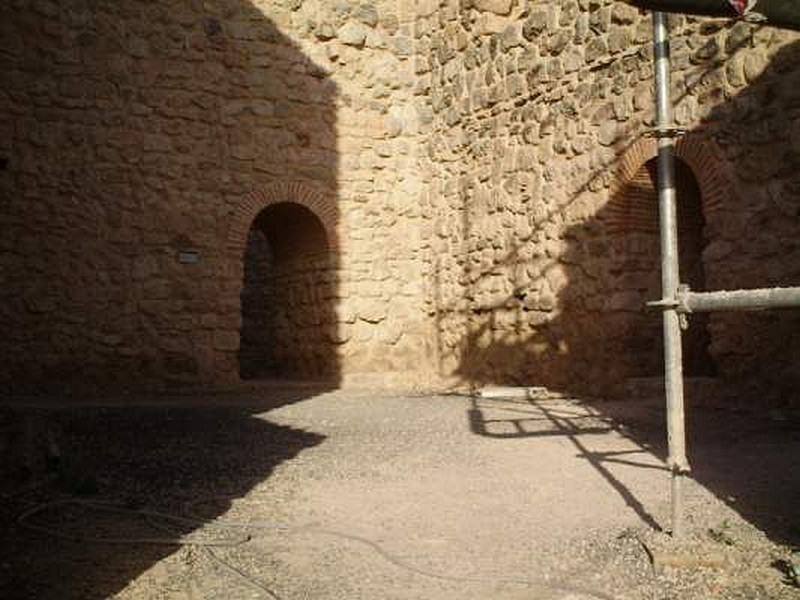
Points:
x=297 y=493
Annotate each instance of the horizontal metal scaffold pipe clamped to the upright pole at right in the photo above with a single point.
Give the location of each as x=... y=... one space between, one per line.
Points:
x=758 y=299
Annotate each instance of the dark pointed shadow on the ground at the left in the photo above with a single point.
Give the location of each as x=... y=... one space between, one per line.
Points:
x=183 y=460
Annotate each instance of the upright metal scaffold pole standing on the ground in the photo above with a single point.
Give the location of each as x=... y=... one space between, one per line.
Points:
x=670 y=278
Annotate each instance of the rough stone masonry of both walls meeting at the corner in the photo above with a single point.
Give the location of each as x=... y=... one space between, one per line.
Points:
x=395 y=192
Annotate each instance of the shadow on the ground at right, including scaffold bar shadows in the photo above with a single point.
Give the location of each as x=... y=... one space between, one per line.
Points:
x=744 y=459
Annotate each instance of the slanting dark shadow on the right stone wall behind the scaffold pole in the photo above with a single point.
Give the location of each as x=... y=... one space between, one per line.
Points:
x=584 y=328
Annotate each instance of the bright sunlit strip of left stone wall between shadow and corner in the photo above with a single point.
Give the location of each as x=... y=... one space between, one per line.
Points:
x=382 y=331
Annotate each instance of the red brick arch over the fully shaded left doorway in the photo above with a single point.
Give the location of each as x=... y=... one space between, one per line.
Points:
x=322 y=205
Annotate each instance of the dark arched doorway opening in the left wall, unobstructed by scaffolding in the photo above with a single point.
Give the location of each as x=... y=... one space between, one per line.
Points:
x=287 y=295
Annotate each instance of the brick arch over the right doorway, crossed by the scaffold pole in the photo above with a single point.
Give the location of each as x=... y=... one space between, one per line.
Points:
x=700 y=155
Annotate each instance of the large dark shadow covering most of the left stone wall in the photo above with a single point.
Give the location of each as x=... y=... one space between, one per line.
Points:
x=146 y=140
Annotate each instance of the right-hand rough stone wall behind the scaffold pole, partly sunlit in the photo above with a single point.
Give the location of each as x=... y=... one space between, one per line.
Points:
x=539 y=117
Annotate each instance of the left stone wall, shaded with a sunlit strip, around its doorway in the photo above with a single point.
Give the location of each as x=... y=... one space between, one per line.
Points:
x=141 y=140
